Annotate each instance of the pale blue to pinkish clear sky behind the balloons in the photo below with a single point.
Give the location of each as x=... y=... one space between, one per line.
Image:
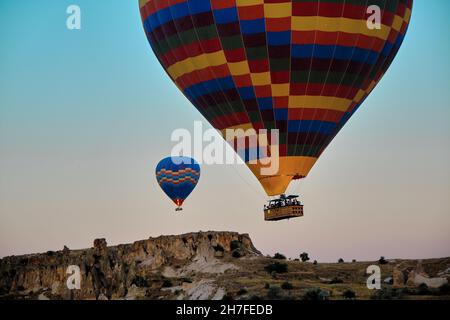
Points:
x=85 y=116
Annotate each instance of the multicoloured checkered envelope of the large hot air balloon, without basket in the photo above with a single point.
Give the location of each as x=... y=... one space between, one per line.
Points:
x=302 y=66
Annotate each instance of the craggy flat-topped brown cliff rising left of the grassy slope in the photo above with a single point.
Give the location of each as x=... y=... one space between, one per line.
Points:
x=134 y=270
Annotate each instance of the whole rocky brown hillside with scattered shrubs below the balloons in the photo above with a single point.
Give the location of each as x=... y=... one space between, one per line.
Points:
x=210 y=265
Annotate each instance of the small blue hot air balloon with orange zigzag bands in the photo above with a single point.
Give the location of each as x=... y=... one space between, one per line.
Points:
x=177 y=177
